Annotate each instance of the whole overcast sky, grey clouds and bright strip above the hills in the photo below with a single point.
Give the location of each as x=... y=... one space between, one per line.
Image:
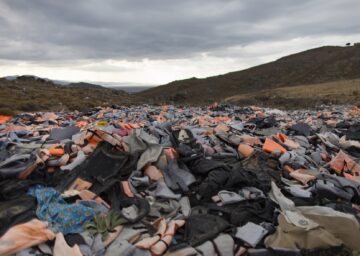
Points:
x=154 y=42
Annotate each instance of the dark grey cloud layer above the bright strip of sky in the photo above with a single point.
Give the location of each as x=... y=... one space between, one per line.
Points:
x=41 y=30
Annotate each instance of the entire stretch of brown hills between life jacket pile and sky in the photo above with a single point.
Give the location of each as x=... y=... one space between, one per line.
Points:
x=323 y=75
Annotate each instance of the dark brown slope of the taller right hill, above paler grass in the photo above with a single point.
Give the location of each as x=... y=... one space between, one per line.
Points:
x=315 y=66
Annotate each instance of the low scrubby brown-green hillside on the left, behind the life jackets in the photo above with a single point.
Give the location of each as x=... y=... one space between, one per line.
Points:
x=28 y=93
